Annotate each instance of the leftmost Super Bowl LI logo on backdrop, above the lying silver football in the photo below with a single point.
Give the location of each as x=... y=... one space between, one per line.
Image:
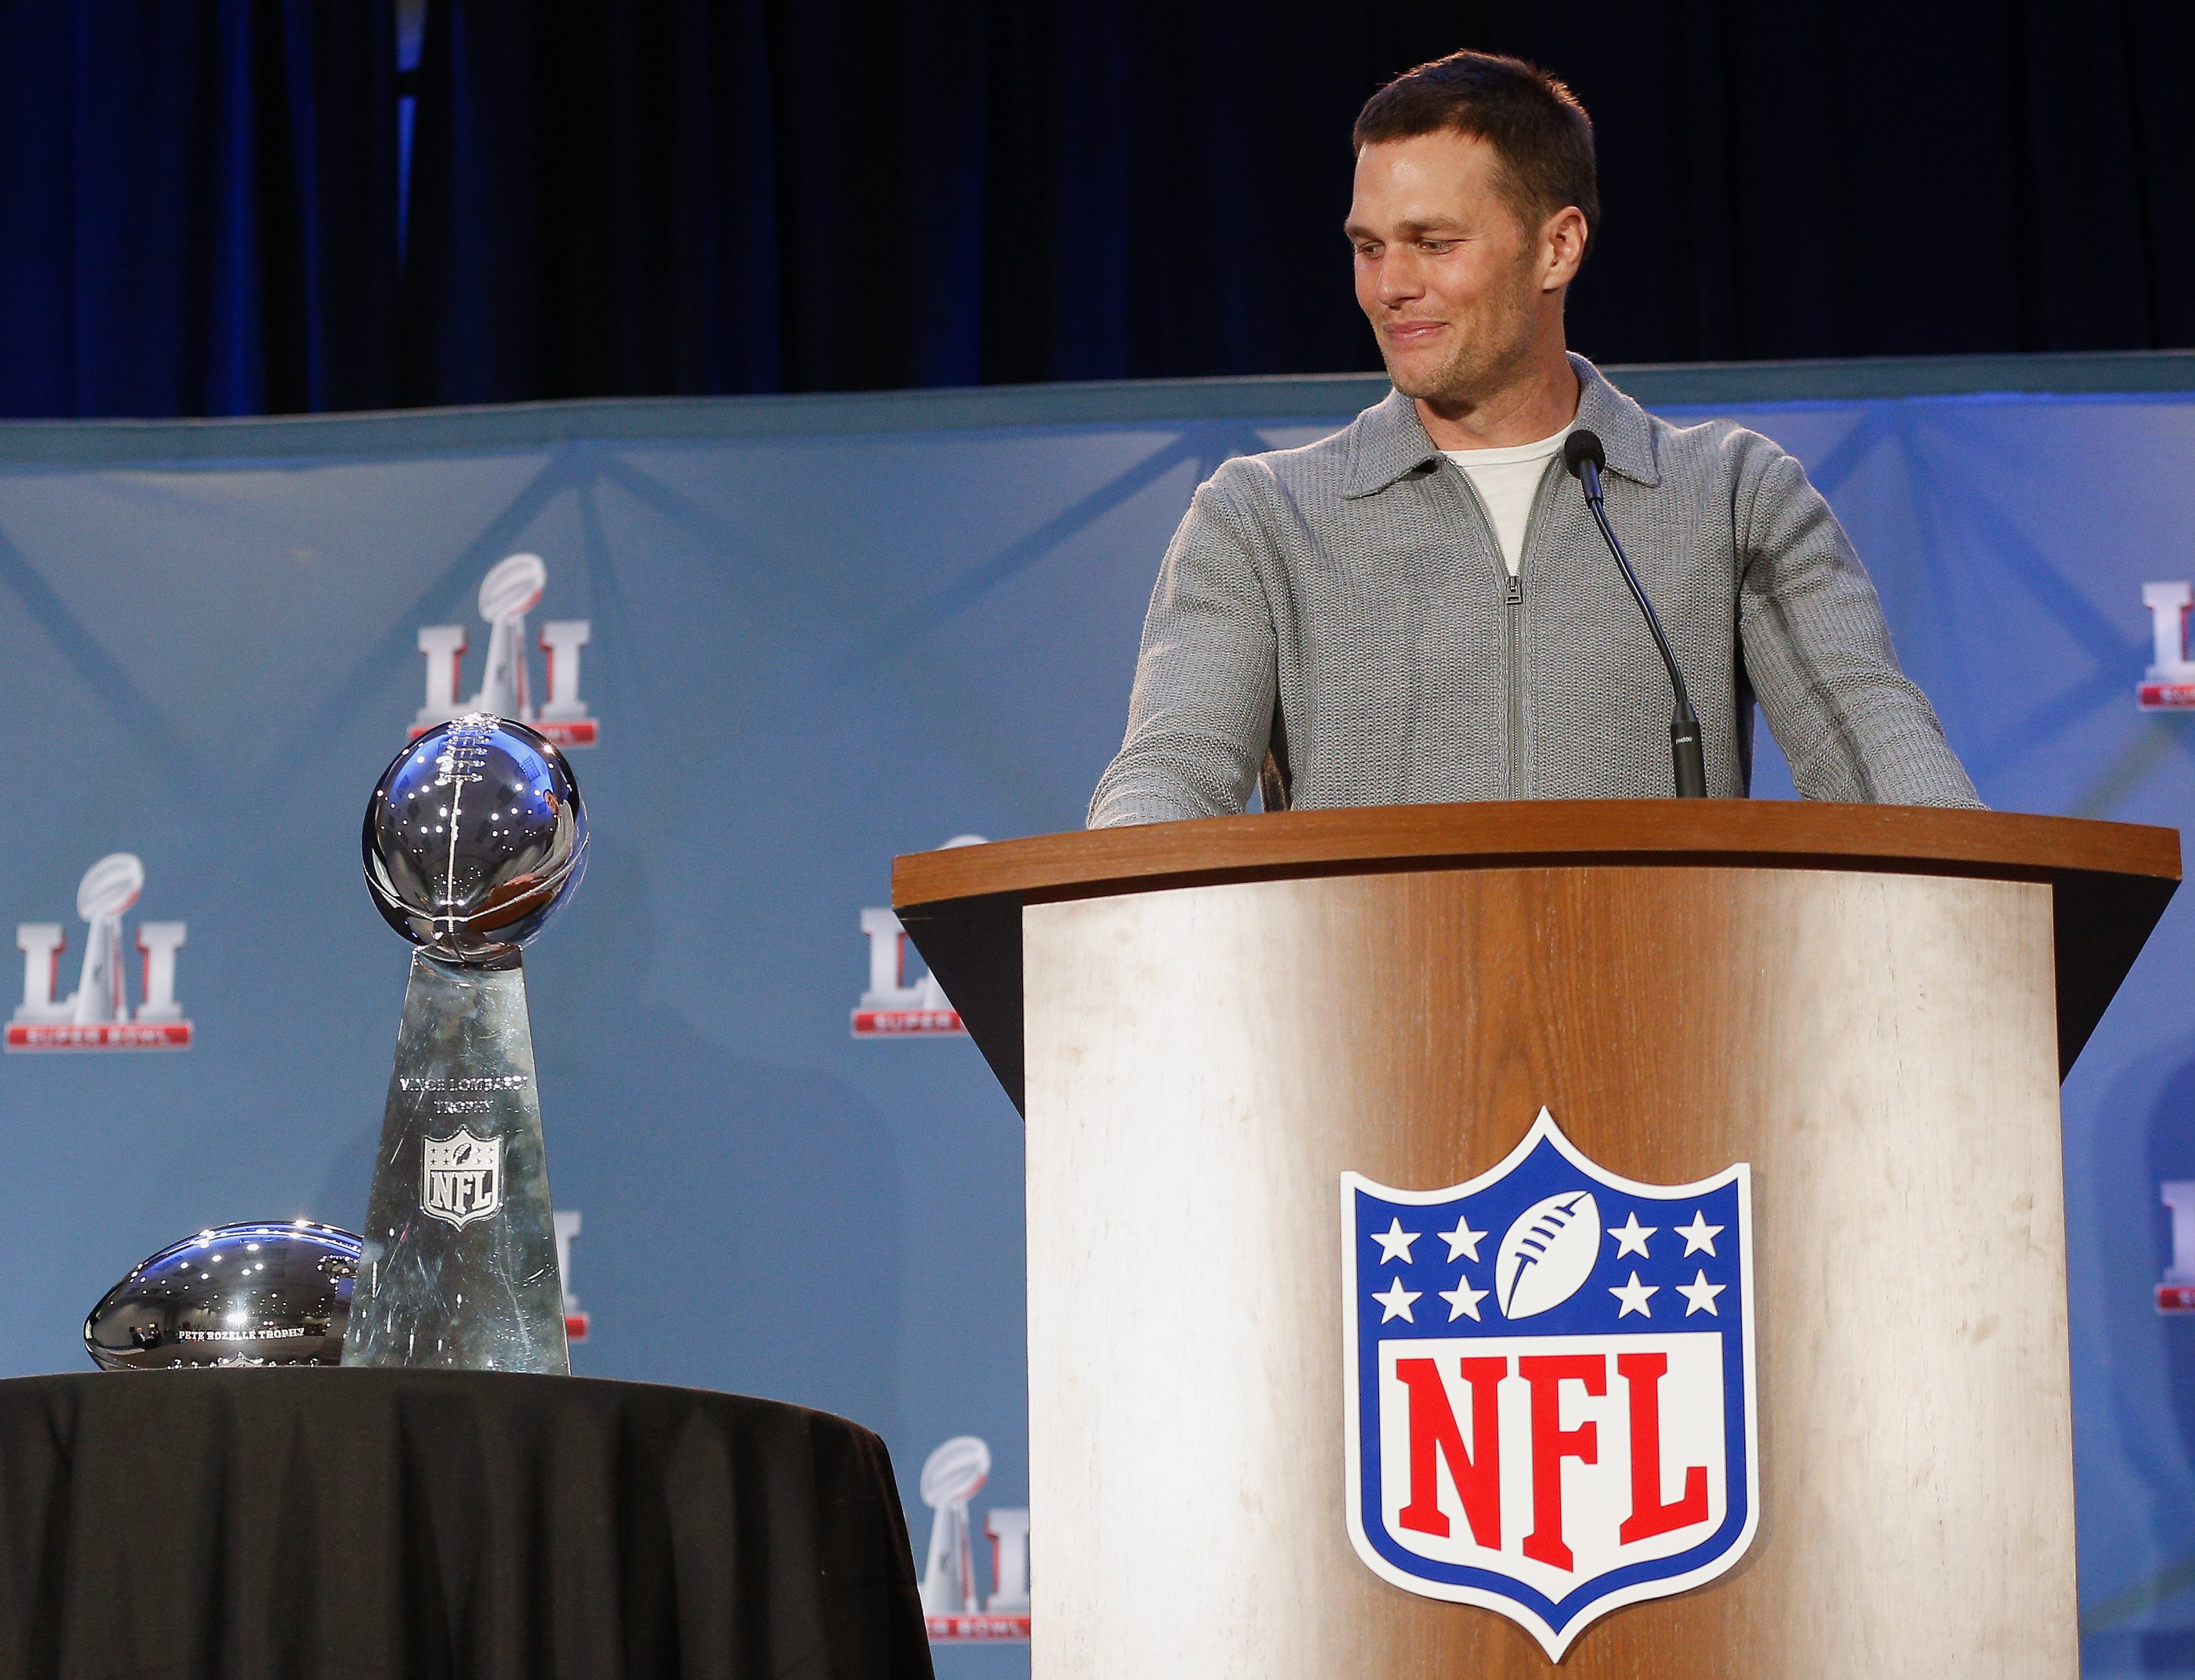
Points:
x=98 y=1016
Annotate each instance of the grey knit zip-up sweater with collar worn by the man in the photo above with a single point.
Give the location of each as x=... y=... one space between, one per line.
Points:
x=1360 y=585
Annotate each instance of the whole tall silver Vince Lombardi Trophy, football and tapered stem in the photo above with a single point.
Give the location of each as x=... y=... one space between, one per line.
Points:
x=475 y=838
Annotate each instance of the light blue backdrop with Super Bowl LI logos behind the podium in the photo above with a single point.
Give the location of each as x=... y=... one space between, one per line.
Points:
x=835 y=629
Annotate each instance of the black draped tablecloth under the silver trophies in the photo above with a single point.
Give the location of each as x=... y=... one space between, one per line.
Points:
x=245 y=1525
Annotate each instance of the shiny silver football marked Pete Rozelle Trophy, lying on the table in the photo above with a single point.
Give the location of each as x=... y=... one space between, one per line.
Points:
x=260 y=1295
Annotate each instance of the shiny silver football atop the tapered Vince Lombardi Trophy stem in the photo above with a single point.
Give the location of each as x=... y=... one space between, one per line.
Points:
x=475 y=838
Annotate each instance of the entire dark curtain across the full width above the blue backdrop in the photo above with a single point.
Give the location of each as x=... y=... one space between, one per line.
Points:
x=199 y=199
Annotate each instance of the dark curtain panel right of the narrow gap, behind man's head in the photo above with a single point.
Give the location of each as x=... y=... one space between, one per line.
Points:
x=655 y=197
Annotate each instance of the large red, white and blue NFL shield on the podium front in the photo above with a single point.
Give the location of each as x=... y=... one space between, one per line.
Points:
x=1551 y=1385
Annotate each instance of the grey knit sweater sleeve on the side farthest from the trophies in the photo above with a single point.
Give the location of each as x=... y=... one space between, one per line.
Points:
x=1819 y=653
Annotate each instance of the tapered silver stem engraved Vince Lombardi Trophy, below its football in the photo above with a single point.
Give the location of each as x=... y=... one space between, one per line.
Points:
x=460 y=1246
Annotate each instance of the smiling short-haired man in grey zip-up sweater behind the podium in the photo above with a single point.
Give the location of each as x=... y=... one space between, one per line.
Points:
x=1419 y=609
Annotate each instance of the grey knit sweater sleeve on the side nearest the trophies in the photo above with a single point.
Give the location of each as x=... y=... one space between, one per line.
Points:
x=1202 y=710
